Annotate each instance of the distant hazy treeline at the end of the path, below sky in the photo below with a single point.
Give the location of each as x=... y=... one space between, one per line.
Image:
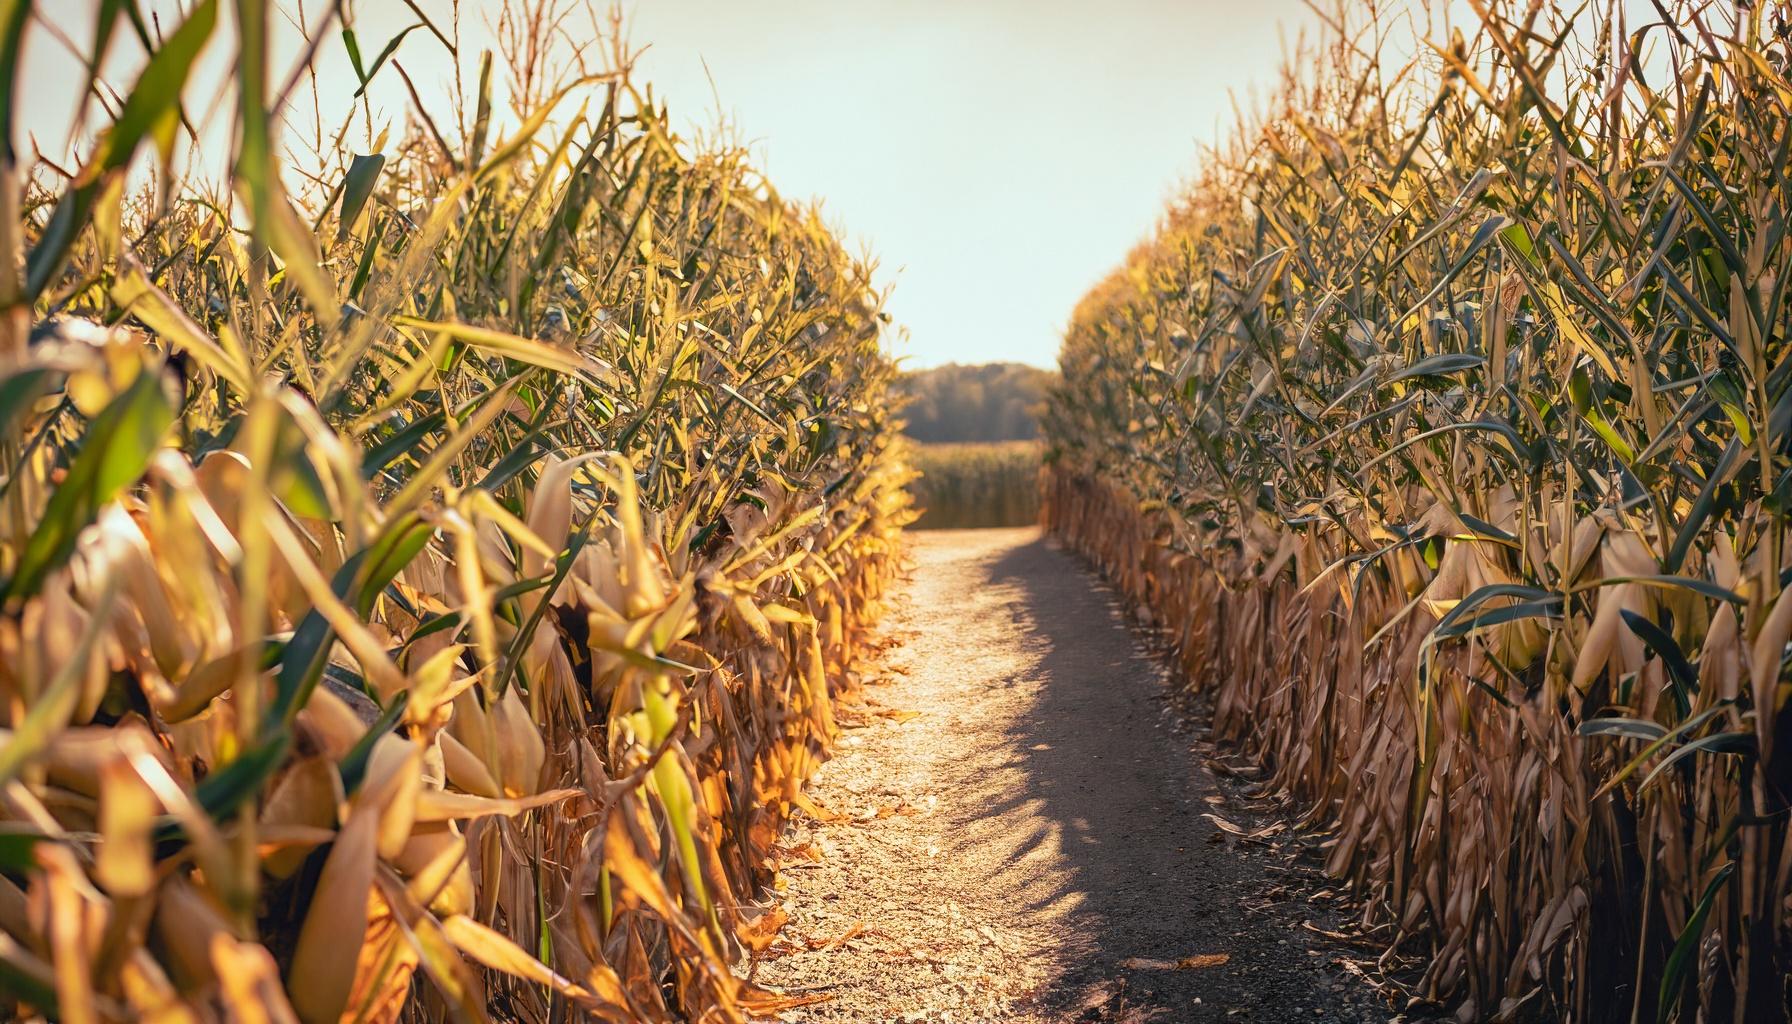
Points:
x=988 y=403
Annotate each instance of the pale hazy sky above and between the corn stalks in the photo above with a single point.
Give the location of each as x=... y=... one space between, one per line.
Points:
x=995 y=157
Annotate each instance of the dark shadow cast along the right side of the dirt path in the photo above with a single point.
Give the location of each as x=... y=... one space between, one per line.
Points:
x=1108 y=831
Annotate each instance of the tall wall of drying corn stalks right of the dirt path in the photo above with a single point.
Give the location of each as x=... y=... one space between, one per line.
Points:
x=1445 y=428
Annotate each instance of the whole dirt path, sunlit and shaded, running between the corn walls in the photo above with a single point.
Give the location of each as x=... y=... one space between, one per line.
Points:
x=1033 y=844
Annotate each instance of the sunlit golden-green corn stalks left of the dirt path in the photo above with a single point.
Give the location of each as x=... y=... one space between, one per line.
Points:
x=426 y=591
